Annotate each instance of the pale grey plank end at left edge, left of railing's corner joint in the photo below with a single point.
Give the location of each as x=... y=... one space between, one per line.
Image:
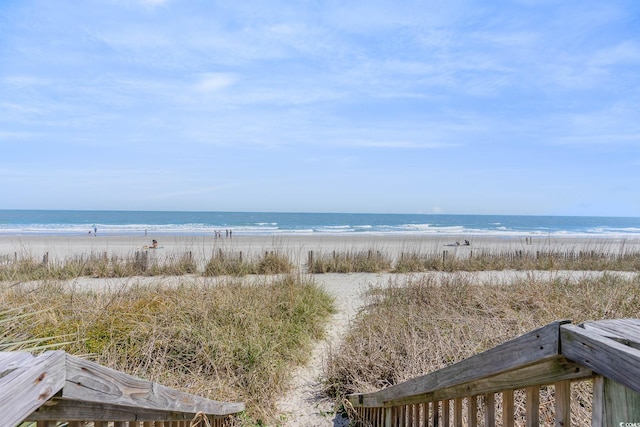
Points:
x=27 y=382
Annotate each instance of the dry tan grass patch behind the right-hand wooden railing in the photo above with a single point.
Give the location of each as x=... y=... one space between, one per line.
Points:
x=427 y=323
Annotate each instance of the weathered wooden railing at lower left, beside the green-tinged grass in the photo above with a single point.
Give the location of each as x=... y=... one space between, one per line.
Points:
x=55 y=387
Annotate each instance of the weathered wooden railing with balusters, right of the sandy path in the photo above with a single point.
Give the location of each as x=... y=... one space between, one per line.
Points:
x=607 y=351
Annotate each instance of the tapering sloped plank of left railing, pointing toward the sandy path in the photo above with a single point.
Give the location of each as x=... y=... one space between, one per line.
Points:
x=90 y=382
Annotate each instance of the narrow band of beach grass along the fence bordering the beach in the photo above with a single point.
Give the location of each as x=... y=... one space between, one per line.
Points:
x=374 y=260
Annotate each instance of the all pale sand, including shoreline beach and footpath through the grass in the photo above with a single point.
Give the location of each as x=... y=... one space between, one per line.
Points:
x=306 y=403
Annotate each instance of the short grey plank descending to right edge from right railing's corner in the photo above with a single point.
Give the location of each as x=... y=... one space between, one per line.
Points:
x=605 y=356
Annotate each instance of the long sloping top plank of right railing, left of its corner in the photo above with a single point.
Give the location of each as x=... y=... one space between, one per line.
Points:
x=533 y=347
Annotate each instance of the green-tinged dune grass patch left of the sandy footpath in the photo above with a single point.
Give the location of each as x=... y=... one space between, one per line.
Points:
x=232 y=341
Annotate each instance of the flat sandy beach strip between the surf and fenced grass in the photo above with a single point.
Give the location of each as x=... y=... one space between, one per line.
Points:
x=297 y=247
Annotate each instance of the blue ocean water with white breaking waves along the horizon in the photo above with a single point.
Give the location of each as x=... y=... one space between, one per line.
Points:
x=67 y=222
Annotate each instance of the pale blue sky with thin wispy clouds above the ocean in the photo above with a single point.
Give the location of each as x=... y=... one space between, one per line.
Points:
x=457 y=106
